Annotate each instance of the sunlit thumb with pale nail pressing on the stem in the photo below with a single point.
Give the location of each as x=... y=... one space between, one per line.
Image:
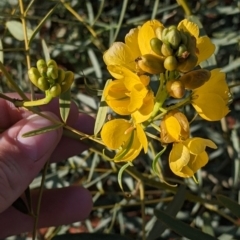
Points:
x=21 y=159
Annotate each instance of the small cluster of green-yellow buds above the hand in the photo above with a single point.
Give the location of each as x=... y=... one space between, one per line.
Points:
x=49 y=78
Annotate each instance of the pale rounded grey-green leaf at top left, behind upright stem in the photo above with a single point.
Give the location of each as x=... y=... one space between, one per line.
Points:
x=16 y=29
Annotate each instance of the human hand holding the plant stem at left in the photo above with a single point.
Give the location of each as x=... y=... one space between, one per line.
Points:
x=21 y=159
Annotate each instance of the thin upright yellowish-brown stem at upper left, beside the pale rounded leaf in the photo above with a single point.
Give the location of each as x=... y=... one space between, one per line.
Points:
x=23 y=15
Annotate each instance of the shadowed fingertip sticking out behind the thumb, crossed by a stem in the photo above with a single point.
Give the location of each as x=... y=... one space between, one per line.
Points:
x=68 y=147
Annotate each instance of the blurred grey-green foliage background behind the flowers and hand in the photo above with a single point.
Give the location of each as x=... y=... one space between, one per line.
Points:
x=76 y=36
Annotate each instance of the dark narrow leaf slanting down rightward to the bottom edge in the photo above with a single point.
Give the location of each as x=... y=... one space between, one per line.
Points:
x=182 y=228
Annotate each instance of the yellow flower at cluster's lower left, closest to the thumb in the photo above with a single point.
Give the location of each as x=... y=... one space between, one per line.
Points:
x=121 y=135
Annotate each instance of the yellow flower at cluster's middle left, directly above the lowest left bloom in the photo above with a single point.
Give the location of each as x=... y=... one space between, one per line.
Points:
x=129 y=94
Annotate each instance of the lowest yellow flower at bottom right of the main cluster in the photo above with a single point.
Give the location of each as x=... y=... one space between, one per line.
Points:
x=187 y=157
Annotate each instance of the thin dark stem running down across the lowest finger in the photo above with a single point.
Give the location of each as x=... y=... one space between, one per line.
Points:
x=39 y=200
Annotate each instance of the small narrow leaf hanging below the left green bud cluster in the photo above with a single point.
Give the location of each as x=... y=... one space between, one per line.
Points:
x=65 y=104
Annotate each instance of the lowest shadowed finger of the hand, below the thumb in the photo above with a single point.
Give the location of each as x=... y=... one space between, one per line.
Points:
x=59 y=207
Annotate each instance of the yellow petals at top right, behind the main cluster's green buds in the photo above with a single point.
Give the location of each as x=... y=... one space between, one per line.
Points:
x=205 y=48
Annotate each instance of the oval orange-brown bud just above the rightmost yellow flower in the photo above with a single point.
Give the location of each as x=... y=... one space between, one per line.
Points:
x=195 y=79
